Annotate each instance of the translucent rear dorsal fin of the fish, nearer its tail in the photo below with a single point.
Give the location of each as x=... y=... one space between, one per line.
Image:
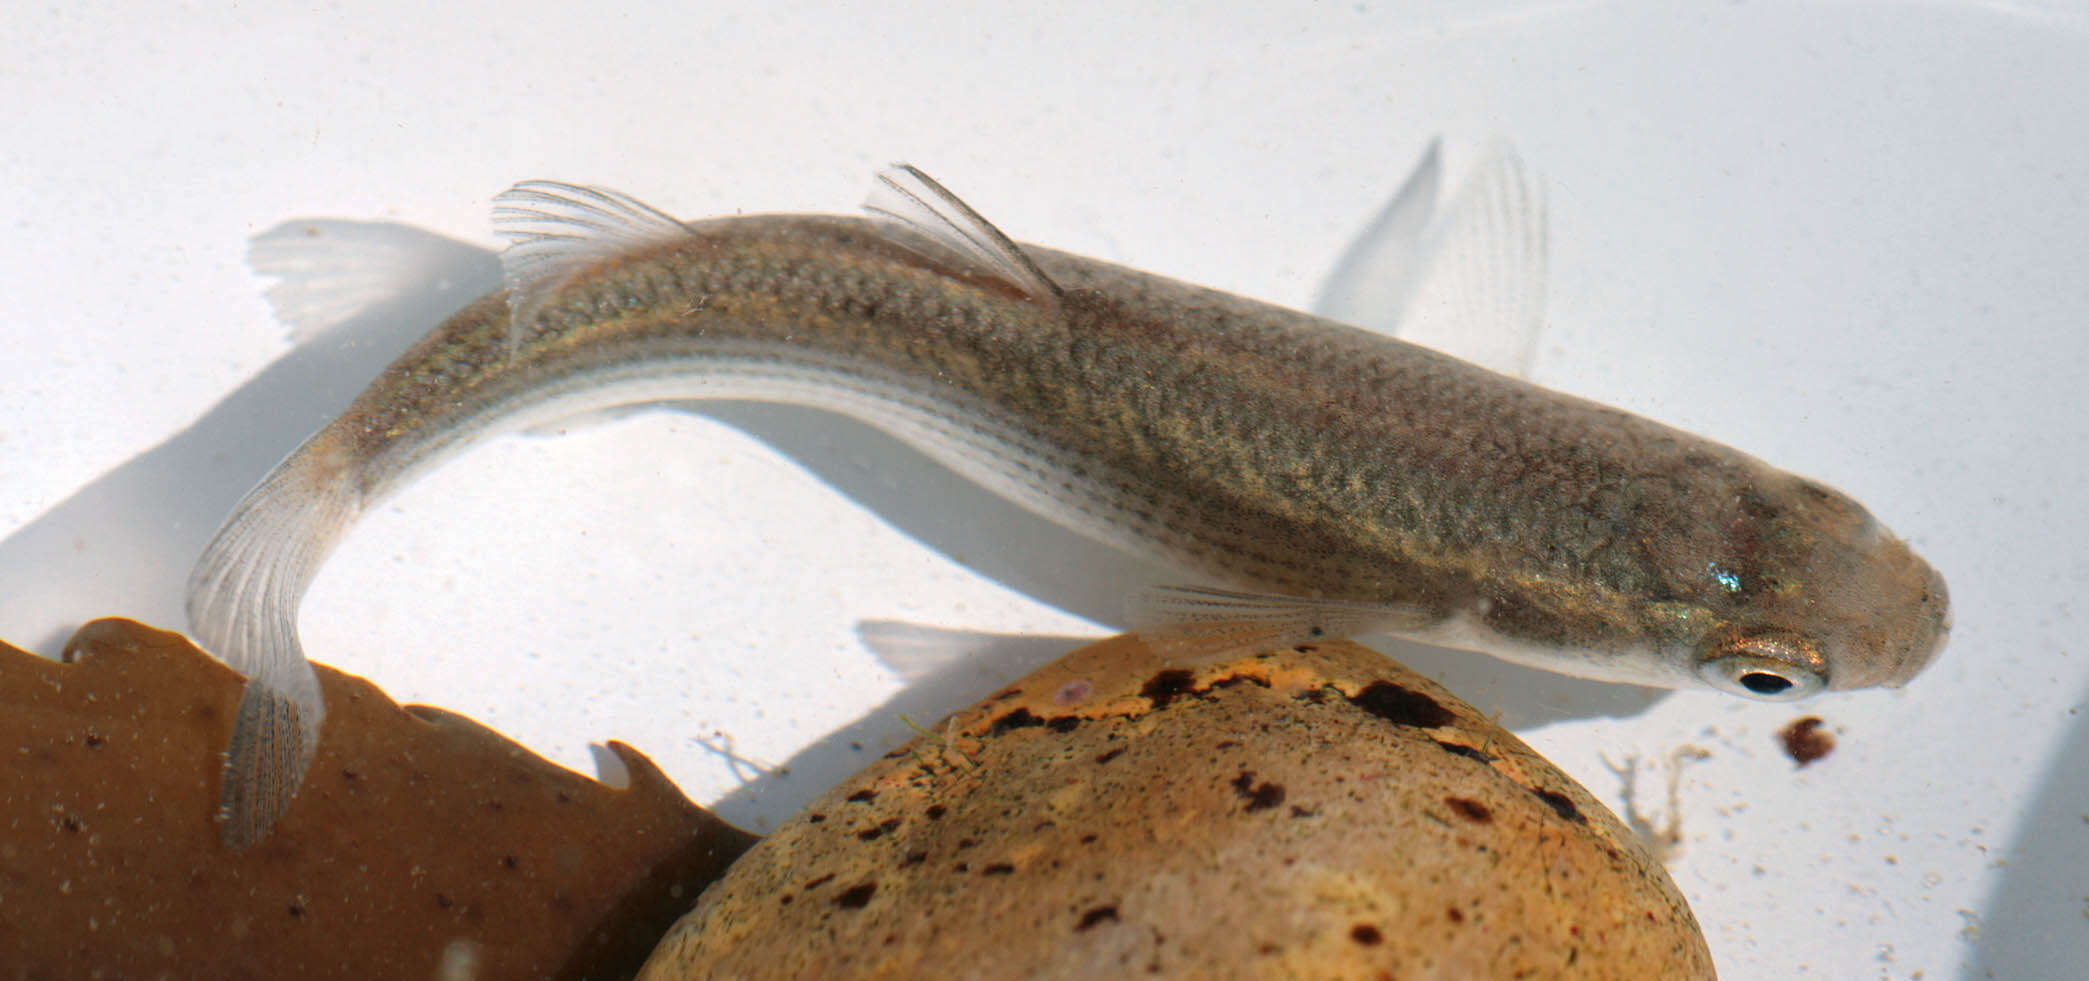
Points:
x=559 y=231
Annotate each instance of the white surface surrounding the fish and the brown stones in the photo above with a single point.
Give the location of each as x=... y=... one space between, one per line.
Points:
x=1841 y=237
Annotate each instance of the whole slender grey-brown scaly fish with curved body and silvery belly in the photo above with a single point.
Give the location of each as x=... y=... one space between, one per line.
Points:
x=1307 y=477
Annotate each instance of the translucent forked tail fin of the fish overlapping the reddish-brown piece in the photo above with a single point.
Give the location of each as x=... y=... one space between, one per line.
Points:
x=243 y=602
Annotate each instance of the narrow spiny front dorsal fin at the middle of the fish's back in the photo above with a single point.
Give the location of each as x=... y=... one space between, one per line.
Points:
x=931 y=220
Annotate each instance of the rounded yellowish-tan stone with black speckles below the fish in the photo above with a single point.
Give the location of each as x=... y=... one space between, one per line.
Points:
x=1309 y=813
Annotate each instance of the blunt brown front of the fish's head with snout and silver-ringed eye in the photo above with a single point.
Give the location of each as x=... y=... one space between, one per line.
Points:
x=1818 y=596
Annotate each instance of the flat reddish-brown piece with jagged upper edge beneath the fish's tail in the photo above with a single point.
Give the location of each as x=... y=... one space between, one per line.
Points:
x=421 y=842
